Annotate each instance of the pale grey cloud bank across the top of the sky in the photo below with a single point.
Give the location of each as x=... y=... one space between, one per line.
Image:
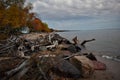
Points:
x=74 y=8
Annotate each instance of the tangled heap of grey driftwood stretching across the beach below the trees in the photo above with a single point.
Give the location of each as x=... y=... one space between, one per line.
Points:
x=50 y=41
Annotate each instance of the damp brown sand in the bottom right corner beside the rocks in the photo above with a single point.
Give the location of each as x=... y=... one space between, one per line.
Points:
x=111 y=73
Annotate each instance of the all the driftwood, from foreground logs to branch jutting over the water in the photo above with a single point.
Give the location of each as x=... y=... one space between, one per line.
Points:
x=29 y=49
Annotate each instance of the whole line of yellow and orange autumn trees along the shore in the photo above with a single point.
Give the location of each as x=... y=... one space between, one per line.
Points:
x=14 y=15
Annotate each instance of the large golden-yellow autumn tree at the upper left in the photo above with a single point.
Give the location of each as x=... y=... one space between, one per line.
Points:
x=13 y=14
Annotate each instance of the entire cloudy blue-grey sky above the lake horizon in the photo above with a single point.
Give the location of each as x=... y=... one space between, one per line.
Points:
x=78 y=14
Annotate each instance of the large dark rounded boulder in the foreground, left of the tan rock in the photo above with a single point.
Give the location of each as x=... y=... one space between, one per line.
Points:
x=66 y=69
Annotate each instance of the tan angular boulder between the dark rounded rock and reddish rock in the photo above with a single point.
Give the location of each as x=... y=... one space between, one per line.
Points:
x=83 y=64
